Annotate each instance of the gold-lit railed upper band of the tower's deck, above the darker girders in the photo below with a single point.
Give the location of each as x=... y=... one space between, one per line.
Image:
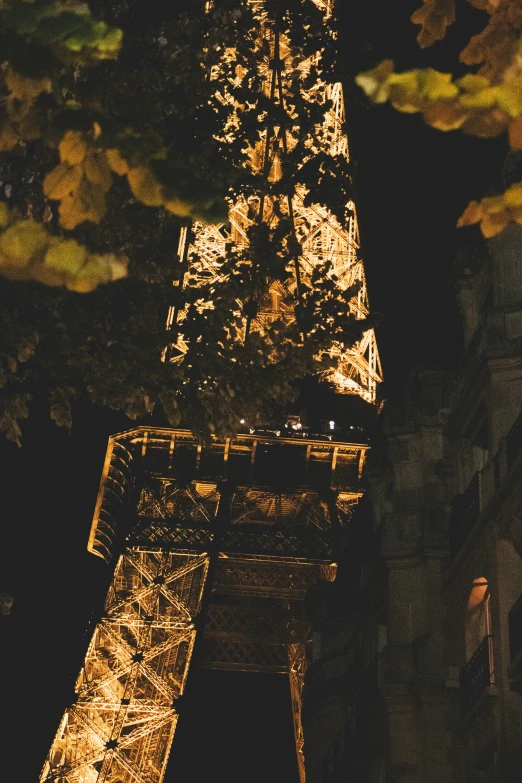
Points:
x=263 y=519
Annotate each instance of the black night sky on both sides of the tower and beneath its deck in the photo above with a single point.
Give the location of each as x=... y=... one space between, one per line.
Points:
x=412 y=183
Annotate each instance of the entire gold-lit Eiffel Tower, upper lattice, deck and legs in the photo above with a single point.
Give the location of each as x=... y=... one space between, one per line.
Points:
x=219 y=543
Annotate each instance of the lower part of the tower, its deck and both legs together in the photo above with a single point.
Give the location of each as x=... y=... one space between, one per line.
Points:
x=248 y=511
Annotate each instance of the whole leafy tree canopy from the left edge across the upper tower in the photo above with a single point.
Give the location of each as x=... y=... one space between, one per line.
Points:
x=110 y=141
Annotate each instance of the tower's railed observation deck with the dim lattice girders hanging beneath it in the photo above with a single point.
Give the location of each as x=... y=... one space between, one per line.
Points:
x=265 y=508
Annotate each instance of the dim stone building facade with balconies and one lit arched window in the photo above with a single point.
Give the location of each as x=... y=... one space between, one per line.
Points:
x=417 y=672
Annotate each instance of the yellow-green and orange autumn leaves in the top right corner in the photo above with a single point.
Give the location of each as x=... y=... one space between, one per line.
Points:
x=485 y=104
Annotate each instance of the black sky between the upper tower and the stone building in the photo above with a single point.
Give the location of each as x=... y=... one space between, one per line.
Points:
x=412 y=182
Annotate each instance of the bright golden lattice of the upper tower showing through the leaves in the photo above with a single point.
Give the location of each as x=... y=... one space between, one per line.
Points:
x=321 y=237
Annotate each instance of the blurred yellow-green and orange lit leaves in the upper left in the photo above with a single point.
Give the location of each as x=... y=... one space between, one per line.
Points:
x=89 y=158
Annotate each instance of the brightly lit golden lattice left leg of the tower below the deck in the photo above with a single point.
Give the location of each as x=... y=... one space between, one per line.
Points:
x=121 y=725
